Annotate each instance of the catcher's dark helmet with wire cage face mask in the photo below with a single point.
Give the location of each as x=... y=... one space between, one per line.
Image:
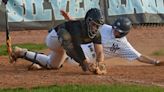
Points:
x=93 y=17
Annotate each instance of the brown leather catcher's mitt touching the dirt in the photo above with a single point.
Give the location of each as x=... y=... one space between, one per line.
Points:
x=97 y=68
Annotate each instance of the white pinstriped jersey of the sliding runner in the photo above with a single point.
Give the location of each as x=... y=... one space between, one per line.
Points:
x=116 y=47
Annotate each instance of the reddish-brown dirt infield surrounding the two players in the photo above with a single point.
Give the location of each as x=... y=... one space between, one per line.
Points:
x=145 y=39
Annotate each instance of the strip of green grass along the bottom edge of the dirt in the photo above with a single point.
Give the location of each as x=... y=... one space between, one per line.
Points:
x=89 y=88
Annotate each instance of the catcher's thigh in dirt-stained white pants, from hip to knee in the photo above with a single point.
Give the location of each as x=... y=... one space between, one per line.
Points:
x=58 y=54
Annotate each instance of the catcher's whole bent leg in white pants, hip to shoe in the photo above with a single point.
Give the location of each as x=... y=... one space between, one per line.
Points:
x=45 y=61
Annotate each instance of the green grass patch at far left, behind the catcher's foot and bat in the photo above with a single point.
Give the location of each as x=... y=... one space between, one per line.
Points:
x=29 y=46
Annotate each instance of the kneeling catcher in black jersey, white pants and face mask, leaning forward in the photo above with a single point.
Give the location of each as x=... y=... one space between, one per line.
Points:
x=65 y=40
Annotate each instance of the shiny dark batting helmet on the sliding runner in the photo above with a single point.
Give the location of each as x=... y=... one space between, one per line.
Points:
x=122 y=25
